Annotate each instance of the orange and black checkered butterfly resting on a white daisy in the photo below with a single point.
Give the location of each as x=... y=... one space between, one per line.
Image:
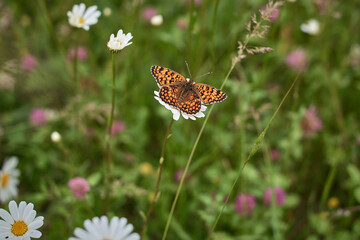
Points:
x=184 y=94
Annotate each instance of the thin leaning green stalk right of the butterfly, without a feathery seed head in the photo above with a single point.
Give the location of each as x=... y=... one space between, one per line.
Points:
x=252 y=152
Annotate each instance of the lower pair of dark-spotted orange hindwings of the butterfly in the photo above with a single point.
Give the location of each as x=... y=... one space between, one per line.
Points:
x=173 y=95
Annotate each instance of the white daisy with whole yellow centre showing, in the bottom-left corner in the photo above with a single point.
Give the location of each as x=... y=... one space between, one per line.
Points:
x=20 y=223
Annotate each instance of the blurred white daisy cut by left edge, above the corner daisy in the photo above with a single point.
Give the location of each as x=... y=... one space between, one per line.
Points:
x=9 y=179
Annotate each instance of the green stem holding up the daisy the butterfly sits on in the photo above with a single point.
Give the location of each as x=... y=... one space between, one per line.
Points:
x=161 y=161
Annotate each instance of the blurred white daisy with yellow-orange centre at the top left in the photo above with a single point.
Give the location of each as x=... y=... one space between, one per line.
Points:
x=80 y=18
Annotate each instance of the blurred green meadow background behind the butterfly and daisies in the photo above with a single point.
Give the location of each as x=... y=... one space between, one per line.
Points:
x=311 y=151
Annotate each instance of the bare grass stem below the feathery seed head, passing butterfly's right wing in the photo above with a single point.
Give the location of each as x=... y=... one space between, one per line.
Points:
x=190 y=158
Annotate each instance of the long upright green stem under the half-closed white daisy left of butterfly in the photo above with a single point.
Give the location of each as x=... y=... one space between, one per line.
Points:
x=108 y=135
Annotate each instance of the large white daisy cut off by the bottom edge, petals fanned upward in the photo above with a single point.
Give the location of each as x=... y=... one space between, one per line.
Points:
x=101 y=228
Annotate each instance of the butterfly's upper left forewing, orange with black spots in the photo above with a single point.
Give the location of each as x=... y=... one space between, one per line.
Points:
x=165 y=76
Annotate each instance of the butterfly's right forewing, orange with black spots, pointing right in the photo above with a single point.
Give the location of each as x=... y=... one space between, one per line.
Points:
x=209 y=94
